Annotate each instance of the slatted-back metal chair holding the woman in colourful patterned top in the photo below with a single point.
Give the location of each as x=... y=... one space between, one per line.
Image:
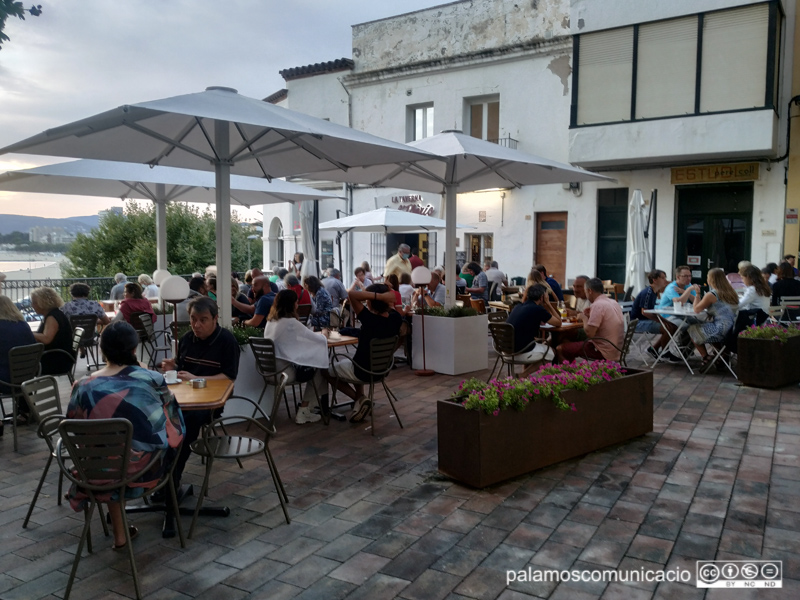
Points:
x=100 y=451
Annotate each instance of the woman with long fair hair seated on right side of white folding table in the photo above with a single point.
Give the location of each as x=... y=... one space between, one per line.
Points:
x=722 y=304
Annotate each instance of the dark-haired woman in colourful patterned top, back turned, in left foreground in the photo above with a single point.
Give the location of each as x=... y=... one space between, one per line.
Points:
x=124 y=389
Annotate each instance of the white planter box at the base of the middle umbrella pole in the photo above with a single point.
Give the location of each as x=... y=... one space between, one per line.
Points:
x=452 y=345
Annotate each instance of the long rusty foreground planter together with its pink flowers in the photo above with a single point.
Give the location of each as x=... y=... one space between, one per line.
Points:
x=490 y=432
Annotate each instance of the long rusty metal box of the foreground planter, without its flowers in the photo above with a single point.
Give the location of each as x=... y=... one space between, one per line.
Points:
x=480 y=450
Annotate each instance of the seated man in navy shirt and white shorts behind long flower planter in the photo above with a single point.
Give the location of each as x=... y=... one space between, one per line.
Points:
x=526 y=319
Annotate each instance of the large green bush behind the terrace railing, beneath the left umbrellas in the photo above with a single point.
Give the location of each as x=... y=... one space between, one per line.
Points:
x=127 y=243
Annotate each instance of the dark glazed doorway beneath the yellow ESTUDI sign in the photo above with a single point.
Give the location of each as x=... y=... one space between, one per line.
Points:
x=714 y=228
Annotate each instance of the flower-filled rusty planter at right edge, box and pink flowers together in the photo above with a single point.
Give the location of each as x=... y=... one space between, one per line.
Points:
x=769 y=355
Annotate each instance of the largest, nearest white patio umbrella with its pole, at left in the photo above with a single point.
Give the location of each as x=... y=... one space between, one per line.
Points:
x=218 y=130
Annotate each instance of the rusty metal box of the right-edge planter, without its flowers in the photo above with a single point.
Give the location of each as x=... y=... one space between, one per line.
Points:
x=768 y=363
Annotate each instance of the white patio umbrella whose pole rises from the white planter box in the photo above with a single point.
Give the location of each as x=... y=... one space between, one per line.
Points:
x=470 y=164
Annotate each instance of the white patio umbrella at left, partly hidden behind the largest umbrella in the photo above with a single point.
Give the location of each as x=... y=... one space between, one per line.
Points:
x=158 y=184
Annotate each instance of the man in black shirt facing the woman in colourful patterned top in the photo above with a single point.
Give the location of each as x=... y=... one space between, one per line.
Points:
x=207 y=351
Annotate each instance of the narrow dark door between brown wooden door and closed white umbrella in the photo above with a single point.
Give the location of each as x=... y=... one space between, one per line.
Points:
x=612 y=234
